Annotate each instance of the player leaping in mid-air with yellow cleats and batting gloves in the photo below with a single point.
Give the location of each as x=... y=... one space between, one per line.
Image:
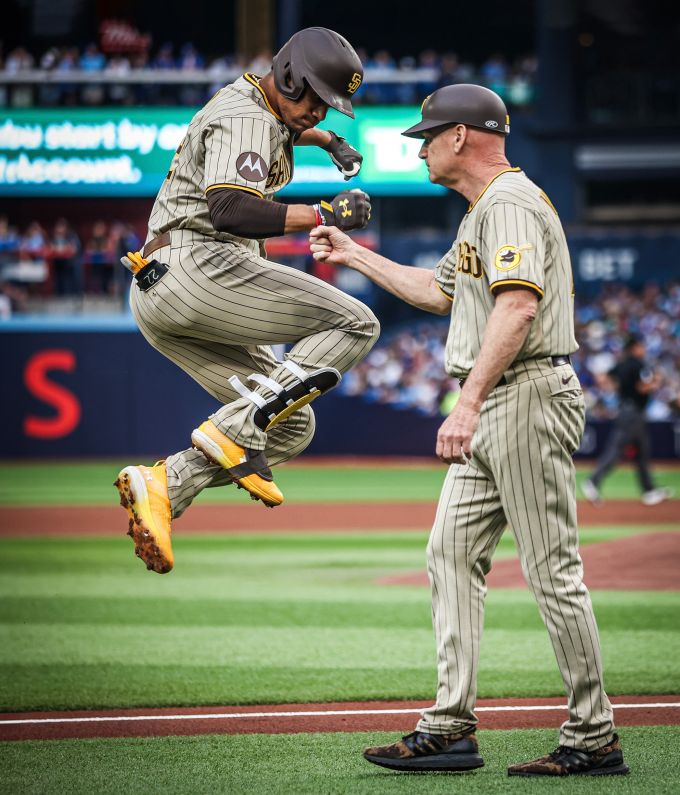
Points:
x=205 y=296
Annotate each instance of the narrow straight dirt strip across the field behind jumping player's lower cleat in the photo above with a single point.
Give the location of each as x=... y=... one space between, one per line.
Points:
x=306 y=517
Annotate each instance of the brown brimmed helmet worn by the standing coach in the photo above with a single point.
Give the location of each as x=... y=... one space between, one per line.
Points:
x=465 y=103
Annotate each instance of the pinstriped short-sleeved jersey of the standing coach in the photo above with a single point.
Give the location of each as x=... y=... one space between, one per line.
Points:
x=511 y=235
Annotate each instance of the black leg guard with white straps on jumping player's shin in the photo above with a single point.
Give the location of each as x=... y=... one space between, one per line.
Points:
x=284 y=402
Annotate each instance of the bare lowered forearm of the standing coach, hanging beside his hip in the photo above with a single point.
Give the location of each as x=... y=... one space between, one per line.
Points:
x=504 y=336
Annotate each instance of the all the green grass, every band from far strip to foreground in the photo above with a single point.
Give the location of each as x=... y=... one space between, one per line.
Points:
x=283 y=617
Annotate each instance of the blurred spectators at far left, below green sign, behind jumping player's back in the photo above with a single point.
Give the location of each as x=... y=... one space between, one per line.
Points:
x=57 y=262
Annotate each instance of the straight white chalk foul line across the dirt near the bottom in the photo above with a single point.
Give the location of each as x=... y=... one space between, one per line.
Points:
x=311 y=713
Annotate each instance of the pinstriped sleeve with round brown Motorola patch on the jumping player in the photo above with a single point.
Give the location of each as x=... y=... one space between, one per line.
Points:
x=237 y=154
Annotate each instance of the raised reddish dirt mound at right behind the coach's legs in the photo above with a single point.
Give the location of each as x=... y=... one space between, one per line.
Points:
x=648 y=562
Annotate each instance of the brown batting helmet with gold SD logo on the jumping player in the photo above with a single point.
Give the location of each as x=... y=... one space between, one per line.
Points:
x=322 y=59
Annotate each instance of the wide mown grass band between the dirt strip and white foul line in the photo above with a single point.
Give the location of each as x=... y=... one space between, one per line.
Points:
x=266 y=618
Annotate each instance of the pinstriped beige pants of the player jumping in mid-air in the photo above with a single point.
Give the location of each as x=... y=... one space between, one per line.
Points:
x=216 y=313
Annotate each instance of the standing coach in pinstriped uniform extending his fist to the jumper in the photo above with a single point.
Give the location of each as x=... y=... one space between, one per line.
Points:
x=509 y=440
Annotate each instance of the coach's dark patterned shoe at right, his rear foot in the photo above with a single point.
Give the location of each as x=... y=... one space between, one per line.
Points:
x=563 y=761
